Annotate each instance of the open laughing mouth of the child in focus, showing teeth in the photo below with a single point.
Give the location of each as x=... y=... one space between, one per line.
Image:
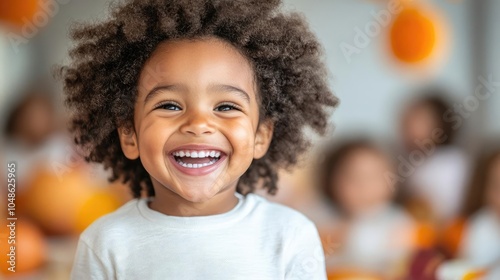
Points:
x=197 y=162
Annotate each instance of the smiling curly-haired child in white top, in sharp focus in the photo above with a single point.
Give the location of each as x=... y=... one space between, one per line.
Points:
x=196 y=104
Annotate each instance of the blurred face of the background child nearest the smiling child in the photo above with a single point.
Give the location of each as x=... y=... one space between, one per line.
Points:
x=360 y=185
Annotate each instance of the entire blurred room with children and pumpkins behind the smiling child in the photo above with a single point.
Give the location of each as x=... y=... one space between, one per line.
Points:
x=406 y=185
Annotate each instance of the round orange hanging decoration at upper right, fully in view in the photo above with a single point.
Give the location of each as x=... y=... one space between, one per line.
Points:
x=412 y=35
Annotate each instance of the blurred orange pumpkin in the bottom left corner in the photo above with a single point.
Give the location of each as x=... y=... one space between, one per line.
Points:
x=30 y=251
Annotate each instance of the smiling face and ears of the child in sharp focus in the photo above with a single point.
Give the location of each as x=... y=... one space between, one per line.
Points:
x=196 y=97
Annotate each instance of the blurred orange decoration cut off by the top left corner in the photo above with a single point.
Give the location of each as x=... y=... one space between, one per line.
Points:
x=16 y=12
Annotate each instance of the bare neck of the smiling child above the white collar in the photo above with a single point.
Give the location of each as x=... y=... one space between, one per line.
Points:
x=170 y=203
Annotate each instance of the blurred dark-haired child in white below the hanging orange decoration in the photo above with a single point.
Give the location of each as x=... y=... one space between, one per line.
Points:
x=437 y=170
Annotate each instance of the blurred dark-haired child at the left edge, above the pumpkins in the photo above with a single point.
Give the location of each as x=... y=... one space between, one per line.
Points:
x=33 y=133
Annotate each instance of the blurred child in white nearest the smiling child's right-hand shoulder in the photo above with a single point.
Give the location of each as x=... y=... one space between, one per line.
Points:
x=372 y=234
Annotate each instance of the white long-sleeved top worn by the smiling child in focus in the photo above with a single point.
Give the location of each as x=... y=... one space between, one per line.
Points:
x=256 y=240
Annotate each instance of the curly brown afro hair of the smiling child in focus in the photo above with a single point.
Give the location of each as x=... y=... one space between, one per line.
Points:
x=100 y=83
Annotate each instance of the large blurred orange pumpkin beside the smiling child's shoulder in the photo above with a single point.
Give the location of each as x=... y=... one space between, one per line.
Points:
x=69 y=203
